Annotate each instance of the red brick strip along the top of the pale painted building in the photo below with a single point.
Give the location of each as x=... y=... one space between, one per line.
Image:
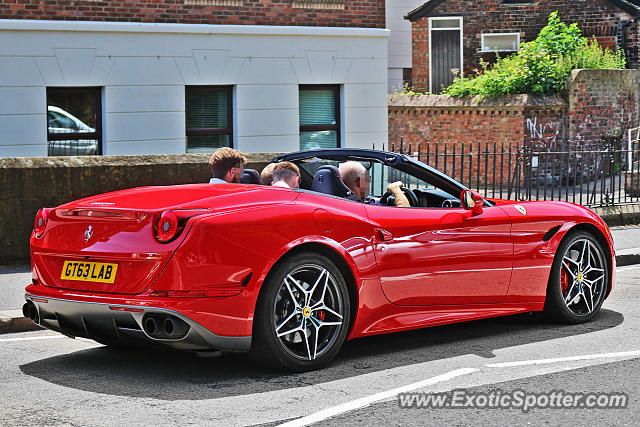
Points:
x=323 y=13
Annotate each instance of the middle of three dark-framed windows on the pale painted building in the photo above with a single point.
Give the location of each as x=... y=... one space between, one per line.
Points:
x=208 y=118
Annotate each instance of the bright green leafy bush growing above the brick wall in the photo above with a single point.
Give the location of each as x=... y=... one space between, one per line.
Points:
x=541 y=66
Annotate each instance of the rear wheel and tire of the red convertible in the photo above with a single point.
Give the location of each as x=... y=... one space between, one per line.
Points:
x=307 y=297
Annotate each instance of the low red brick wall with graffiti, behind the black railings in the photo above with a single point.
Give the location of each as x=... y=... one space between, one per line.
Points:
x=430 y=124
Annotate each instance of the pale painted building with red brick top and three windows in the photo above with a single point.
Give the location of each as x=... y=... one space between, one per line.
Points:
x=176 y=76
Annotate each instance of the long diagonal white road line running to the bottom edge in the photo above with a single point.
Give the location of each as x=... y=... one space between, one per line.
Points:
x=368 y=400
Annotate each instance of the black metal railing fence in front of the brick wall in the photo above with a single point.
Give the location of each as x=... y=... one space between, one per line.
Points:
x=603 y=175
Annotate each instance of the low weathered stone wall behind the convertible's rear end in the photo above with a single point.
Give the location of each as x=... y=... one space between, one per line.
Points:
x=28 y=184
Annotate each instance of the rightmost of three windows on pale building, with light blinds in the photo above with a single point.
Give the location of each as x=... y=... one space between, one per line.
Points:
x=319 y=117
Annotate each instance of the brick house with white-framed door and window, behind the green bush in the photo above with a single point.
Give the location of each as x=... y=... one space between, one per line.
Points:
x=455 y=35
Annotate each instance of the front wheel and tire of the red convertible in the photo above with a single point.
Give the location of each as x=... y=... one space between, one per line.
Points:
x=579 y=279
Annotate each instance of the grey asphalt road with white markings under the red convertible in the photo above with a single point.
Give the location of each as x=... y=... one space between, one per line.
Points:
x=50 y=379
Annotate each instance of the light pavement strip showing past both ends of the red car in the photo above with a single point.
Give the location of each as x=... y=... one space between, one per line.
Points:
x=13 y=279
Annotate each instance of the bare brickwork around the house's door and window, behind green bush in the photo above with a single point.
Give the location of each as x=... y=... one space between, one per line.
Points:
x=595 y=17
